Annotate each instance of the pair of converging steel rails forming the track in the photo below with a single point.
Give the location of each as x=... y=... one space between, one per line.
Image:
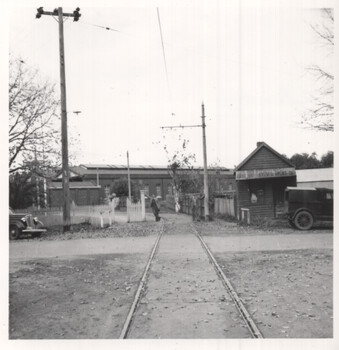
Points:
x=143 y=285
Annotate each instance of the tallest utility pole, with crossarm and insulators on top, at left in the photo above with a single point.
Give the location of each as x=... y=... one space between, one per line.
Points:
x=64 y=139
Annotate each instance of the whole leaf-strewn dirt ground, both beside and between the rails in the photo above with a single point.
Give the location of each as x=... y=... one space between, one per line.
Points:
x=83 y=288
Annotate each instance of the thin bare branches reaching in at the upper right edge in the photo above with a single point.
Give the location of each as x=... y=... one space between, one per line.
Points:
x=320 y=115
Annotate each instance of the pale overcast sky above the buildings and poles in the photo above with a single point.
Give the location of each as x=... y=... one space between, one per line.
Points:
x=246 y=63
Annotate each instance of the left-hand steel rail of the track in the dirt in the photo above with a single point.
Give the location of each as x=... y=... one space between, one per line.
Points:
x=142 y=283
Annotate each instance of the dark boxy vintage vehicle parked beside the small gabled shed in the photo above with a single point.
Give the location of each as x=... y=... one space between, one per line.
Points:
x=304 y=206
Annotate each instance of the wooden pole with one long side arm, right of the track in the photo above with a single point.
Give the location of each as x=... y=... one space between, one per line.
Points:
x=203 y=126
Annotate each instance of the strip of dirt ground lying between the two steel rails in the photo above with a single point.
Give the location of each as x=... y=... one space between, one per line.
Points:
x=184 y=297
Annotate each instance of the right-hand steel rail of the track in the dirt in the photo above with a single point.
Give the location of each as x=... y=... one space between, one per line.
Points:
x=236 y=299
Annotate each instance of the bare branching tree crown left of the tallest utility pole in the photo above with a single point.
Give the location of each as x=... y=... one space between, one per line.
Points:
x=34 y=135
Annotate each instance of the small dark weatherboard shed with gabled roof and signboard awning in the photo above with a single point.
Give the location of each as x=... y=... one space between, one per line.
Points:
x=261 y=181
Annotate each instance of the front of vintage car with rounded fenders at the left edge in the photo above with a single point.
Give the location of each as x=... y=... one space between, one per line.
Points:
x=22 y=224
